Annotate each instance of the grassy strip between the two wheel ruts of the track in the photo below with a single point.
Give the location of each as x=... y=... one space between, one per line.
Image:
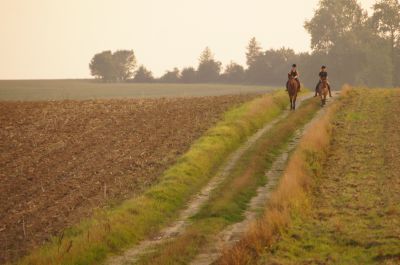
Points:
x=229 y=201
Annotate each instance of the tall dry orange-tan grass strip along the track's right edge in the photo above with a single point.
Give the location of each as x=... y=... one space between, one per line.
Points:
x=291 y=193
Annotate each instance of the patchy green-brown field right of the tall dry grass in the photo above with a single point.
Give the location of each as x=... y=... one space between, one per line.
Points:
x=354 y=205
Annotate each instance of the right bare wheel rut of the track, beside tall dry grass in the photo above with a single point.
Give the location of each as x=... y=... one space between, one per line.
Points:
x=233 y=233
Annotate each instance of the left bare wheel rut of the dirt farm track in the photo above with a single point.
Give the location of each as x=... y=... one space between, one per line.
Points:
x=193 y=207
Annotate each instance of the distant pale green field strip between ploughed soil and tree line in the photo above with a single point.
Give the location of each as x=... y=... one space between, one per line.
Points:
x=33 y=90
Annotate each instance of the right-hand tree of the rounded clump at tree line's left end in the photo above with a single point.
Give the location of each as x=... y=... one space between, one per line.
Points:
x=124 y=64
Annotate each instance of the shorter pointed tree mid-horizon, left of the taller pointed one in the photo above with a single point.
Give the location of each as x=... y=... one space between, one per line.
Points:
x=209 y=68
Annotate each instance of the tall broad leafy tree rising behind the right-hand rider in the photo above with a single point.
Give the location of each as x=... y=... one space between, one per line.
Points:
x=339 y=38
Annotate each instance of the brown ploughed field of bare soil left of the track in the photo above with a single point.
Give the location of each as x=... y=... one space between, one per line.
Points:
x=62 y=160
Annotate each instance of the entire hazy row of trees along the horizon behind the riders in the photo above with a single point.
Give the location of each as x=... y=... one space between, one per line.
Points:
x=358 y=48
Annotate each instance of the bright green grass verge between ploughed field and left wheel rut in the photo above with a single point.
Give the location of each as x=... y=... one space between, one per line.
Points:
x=109 y=232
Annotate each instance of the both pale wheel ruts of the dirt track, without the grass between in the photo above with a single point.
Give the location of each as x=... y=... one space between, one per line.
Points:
x=179 y=226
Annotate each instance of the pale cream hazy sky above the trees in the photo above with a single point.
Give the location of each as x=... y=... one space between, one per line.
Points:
x=57 y=38
